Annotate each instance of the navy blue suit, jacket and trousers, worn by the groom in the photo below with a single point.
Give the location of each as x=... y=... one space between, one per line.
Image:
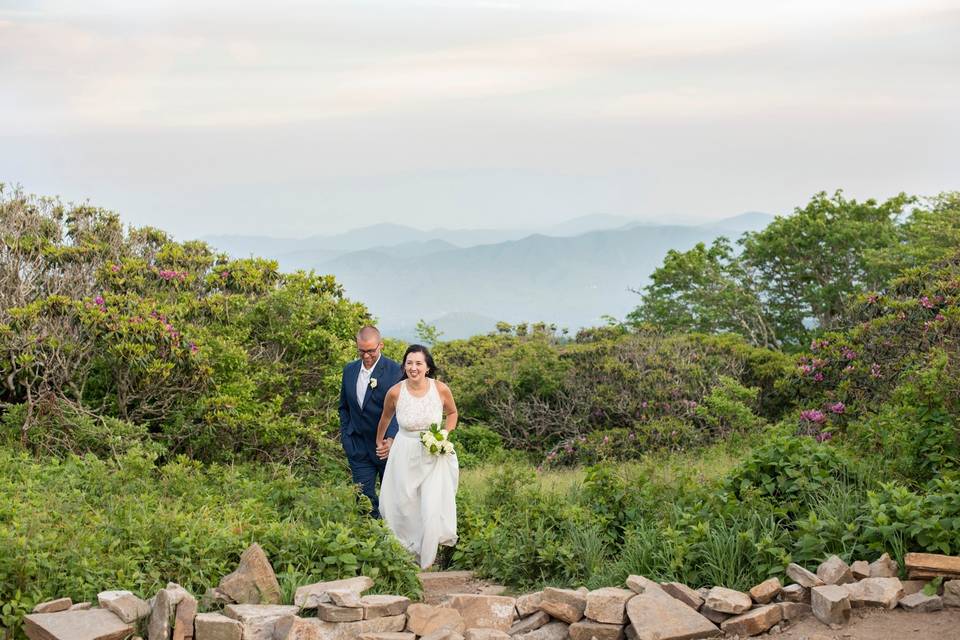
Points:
x=358 y=426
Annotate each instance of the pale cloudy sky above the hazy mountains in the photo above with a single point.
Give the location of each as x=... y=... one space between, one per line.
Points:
x=294 y=118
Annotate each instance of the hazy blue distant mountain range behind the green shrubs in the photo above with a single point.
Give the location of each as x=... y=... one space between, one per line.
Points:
x=464 y=281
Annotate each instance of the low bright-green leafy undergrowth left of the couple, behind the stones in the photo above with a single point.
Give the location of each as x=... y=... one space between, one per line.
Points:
x=77 y=526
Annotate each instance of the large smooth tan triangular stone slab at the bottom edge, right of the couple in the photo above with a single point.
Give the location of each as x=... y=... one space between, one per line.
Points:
x=656 y=615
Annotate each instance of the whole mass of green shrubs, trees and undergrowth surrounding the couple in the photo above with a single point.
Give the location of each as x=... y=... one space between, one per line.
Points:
x=780 y=398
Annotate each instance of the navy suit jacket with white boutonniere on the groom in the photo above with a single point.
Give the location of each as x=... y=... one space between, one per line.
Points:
x=358 y=426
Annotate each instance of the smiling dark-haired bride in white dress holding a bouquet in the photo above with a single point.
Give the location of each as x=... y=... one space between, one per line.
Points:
x=418 y=490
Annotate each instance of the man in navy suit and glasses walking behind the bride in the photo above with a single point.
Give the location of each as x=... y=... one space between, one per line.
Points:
x=365 y=385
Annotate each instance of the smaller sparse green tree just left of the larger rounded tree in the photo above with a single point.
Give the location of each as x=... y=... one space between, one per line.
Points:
x=706 y=290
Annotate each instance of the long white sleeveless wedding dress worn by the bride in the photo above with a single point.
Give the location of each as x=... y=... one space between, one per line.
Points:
x=418 y=491
